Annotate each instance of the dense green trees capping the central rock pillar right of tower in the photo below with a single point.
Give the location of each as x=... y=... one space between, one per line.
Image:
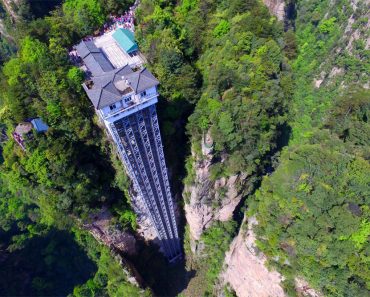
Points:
x=246 y=91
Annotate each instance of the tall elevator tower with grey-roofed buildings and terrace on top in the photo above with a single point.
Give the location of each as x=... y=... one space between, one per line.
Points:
x=124 y=95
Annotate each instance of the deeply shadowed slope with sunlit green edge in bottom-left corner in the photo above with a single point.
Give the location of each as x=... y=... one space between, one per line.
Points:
x=51 y=264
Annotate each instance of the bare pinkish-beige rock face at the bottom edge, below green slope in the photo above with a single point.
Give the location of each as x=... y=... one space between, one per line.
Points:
x=245 y=270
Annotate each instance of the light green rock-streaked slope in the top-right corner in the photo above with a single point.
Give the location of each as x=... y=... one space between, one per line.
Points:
x=325 y=53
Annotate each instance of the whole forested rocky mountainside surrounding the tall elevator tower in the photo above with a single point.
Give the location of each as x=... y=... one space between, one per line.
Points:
x=263 y=110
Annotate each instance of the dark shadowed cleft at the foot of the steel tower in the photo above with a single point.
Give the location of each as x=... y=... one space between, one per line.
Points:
x=164 y=278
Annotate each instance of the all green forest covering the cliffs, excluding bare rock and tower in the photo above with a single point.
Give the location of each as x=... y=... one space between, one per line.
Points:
x=227 y=68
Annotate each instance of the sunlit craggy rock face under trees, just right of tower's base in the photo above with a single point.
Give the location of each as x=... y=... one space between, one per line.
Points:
x=206 y=200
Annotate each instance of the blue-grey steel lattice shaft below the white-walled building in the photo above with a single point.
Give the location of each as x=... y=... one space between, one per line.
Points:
x=140 y=147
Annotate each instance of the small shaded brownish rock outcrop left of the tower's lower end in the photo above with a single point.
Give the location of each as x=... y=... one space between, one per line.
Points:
x=100 y=227
